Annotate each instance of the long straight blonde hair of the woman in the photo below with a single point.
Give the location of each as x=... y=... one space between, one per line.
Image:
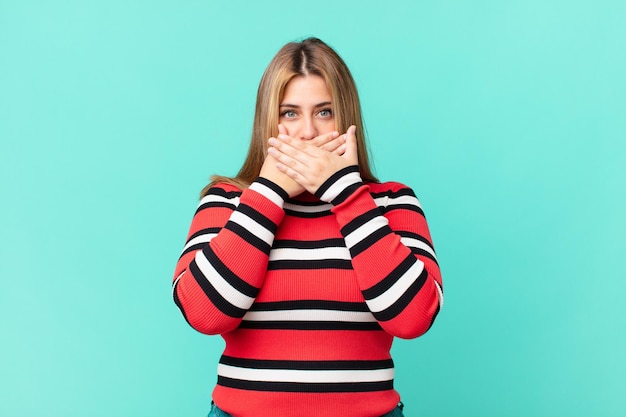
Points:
x=309 y=57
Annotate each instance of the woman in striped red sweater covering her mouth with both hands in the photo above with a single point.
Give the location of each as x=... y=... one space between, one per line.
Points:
x=305 y=263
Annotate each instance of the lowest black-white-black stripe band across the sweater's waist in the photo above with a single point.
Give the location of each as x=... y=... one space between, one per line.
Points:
x=305 y=376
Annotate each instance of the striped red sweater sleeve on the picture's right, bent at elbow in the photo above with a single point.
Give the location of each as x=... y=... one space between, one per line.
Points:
x=391 y=249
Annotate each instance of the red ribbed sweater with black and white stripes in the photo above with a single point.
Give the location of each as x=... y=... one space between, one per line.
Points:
x=308 y=293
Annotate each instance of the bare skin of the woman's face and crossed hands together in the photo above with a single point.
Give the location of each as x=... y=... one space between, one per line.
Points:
x=308 y=149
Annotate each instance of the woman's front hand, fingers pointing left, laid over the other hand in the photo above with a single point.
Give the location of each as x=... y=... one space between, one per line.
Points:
x=309 y=165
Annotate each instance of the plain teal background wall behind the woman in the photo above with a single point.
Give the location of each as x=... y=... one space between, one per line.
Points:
x=506 y=117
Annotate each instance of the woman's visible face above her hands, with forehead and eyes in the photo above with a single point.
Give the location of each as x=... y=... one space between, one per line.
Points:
x=306 y=109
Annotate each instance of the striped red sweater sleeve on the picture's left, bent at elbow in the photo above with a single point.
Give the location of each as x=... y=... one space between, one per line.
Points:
x=224 y=261
